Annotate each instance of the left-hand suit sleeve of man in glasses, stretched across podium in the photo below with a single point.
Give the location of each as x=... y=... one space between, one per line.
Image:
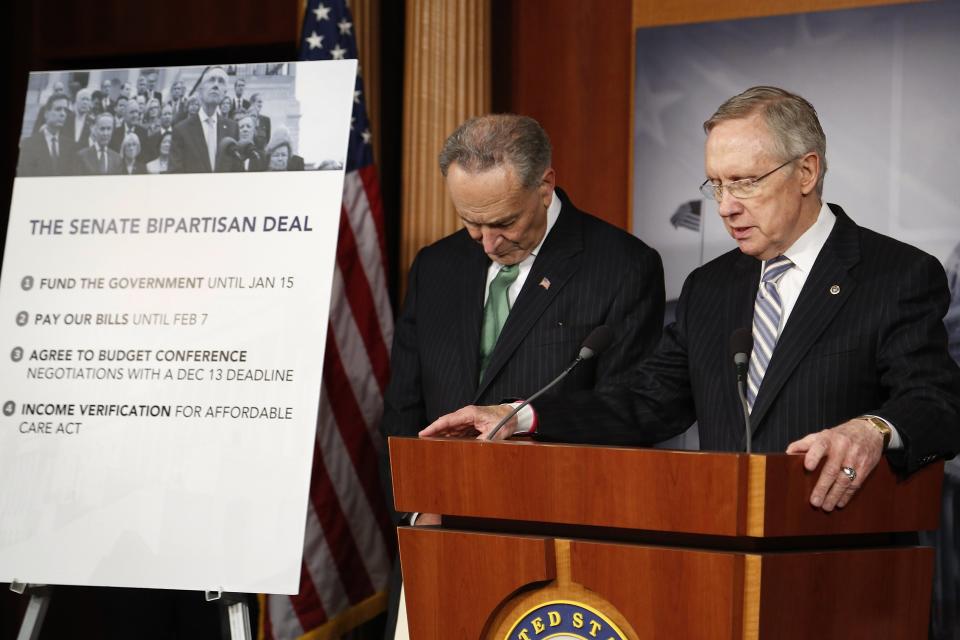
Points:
x=645 y=405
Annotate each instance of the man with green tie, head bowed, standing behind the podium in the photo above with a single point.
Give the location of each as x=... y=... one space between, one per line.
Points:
x=499 y=308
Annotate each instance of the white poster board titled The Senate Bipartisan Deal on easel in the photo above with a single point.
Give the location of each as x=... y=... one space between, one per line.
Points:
x=162 y=346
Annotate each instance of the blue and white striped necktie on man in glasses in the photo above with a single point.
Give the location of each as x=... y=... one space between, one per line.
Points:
x=767 y=311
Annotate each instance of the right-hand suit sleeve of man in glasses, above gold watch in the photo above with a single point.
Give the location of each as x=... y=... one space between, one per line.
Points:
x=922 y=382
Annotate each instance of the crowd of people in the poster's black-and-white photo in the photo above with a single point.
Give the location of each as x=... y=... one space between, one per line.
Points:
x=122 y=128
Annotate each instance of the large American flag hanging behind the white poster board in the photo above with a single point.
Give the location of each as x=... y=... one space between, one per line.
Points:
x=349 y=543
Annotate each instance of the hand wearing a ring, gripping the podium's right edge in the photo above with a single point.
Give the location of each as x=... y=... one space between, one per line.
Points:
x=849 y=453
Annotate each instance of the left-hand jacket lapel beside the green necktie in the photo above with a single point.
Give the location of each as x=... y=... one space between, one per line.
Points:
x=473 y=280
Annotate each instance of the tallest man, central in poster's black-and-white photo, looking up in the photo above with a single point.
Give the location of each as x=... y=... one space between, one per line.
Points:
x=197 y=139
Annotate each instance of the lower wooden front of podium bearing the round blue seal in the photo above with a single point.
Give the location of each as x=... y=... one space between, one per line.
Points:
x=478 y=585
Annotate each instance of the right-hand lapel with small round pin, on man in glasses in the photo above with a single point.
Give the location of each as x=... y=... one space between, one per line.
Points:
x=814 y=310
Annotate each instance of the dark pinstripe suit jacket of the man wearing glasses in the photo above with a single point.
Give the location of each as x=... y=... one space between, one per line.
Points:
x=877 y=346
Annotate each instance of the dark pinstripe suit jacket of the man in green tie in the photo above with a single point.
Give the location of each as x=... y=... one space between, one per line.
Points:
x=597 y=274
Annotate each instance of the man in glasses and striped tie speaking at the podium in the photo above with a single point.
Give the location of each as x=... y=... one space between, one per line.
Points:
x=849 y=353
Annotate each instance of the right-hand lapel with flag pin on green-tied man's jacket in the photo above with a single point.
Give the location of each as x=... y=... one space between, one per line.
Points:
x=557 y=261
